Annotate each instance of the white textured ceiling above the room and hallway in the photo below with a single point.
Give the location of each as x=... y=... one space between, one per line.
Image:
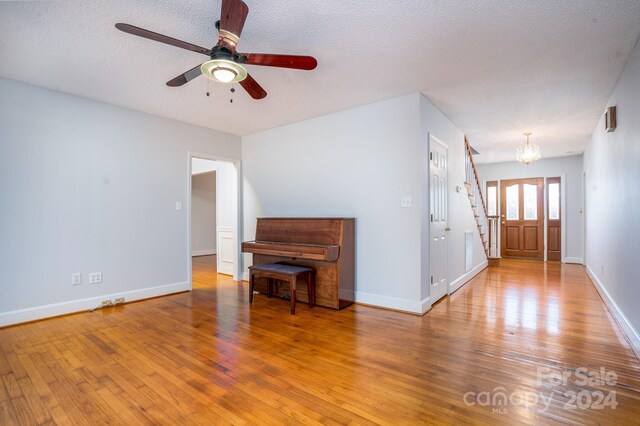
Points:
x=496 y=68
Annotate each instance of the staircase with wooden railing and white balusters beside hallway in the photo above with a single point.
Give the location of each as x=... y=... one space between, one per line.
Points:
x=487 y=225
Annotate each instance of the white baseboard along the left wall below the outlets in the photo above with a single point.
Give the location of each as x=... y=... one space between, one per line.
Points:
x=78 y=305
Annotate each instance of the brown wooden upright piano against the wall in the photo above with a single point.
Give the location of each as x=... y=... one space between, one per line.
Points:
x=325 y=244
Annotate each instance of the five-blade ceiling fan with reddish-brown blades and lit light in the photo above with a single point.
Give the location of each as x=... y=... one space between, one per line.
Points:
x=226 y=65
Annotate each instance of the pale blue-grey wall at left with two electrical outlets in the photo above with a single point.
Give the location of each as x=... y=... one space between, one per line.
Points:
x=86 y=187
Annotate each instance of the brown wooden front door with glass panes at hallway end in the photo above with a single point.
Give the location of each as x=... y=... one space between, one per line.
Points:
x=522 y=218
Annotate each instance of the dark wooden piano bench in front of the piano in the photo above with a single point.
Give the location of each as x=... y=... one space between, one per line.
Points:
x=283 y=272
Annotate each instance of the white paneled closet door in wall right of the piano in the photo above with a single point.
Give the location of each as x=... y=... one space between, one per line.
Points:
x=438 y=206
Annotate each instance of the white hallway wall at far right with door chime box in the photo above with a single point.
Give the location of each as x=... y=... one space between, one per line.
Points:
x=612 y=201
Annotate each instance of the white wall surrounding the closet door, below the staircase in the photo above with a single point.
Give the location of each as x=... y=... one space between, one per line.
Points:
x=460 y=214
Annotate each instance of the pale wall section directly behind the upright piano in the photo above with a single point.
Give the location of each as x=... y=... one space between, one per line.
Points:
x=355 y=163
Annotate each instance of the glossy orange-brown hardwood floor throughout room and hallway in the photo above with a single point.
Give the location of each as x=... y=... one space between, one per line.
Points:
x=208 y=357
